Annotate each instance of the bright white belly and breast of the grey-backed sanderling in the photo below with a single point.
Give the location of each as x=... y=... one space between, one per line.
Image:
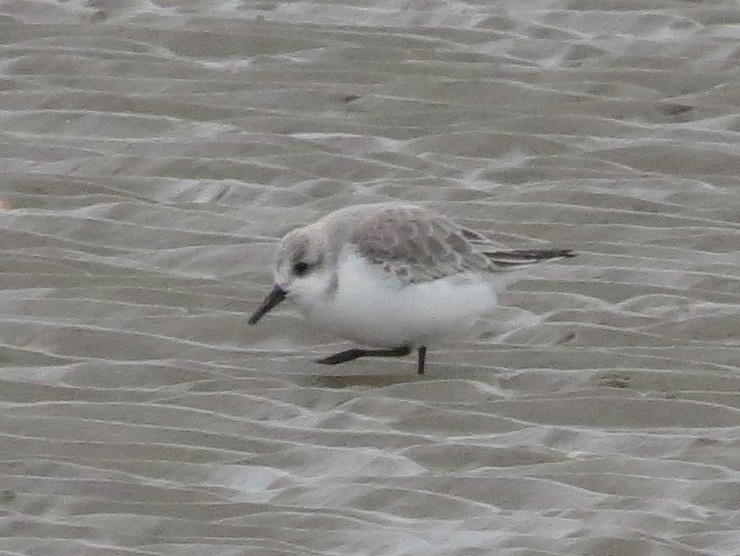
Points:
x=372 y=309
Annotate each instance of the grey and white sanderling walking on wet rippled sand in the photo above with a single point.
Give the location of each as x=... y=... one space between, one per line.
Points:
x=393 y=276
